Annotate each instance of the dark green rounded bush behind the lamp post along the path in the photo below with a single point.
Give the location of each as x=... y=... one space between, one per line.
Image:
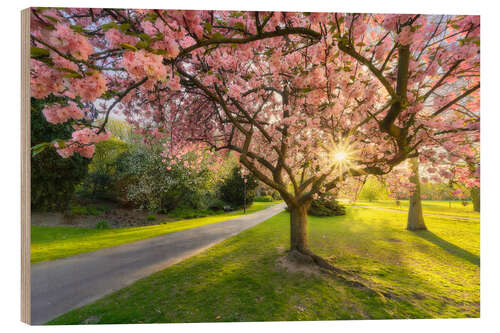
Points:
x=233 y=188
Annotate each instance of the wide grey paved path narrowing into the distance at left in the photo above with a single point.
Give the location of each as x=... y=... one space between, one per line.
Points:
x=61 y=285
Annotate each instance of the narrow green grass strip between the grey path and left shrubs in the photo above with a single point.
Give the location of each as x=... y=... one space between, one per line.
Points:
x=49 y=243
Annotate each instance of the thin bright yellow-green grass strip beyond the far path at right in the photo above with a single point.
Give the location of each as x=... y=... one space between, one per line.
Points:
x=428 y=206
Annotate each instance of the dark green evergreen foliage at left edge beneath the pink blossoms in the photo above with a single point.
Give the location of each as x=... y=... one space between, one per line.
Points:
x=53 y=178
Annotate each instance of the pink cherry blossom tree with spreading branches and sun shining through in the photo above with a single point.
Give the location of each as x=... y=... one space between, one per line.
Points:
x=306 y=100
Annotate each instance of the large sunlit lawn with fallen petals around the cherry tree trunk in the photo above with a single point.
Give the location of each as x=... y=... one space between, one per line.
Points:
x=429 y=275
